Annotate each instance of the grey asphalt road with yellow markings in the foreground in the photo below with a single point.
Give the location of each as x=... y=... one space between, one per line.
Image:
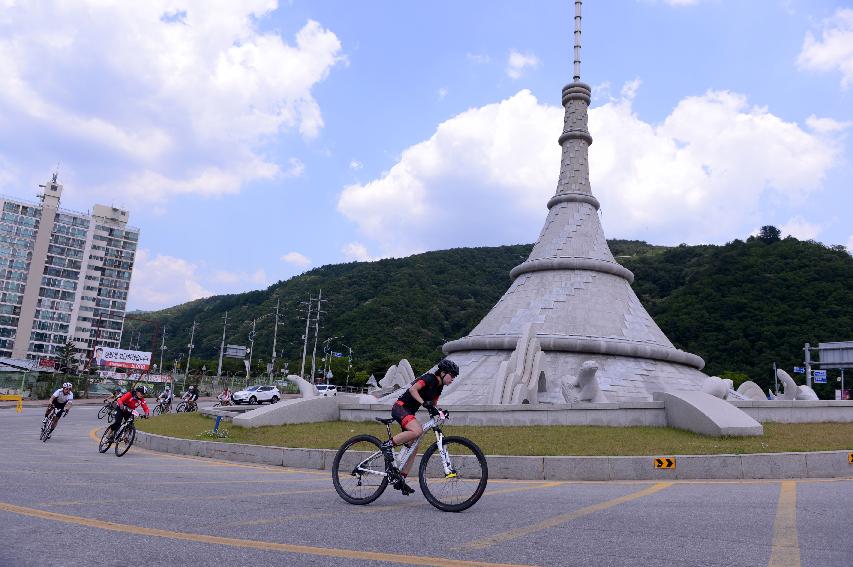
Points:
x=63 y=503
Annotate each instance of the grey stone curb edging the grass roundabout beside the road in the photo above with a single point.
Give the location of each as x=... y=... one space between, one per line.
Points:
x=823 y=464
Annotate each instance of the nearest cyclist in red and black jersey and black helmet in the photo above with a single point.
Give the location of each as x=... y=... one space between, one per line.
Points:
x=425 y=391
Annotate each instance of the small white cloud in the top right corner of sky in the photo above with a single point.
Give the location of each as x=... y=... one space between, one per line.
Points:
x=833 y=50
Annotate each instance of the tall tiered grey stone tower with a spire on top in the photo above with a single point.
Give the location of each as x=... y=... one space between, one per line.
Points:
x=577 y=298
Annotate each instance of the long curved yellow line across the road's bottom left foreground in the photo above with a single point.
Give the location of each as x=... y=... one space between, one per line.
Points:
x=247 y=543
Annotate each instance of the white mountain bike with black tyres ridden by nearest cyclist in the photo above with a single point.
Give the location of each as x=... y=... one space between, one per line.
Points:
x=452 y=472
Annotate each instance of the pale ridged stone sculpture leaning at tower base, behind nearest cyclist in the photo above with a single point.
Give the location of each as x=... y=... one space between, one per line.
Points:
x=518 y=378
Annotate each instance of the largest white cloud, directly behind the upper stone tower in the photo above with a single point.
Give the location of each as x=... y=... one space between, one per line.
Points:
x=483 y=178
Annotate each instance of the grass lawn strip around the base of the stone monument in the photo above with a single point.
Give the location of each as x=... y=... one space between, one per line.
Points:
x=530 y=440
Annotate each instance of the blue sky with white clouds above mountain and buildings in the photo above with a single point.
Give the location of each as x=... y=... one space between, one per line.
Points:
x=254 y=140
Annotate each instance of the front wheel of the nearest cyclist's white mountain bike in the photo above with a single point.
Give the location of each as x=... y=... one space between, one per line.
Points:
x=460 y=488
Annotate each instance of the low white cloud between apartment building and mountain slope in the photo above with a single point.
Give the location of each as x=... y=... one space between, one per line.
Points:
x=161 y=280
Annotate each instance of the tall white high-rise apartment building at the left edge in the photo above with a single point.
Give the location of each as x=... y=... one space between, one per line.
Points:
x=64 y=275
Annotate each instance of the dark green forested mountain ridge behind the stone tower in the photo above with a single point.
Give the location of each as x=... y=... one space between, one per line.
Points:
x=740 y=306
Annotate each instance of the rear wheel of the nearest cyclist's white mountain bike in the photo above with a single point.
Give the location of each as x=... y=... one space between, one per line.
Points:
x=358 y=471
